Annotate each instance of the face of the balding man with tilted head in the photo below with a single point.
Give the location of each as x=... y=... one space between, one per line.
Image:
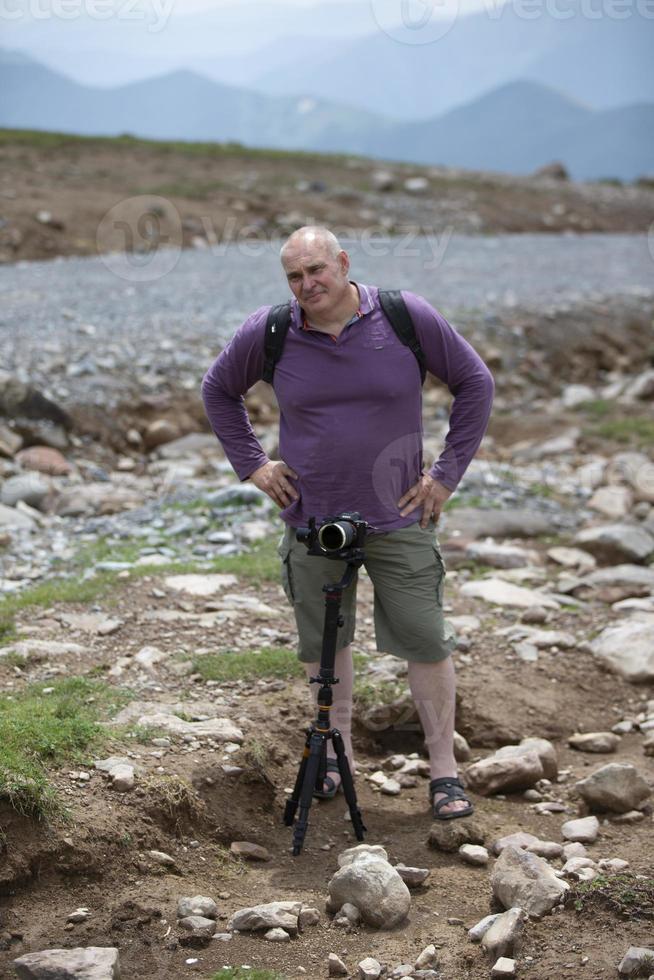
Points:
x=317 y=279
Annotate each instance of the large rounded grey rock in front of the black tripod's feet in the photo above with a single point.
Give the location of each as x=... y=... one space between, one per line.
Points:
x=367 y=880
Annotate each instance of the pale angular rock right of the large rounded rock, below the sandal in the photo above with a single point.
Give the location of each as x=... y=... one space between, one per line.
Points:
x=523 y=880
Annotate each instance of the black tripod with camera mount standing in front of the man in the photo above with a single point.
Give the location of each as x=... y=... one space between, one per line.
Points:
x=312 y=771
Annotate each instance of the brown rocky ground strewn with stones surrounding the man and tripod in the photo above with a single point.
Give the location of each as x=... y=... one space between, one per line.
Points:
x=147 y=657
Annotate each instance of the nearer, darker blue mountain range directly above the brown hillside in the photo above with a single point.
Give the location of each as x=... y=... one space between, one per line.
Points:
x=516 y=127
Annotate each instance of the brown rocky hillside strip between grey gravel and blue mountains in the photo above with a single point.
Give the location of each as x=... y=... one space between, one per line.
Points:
x=60 y=195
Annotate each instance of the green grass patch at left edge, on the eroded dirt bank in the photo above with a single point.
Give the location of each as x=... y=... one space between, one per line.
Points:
x=37 y=730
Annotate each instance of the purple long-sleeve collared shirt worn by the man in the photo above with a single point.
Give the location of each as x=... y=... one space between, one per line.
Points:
x=351 y=409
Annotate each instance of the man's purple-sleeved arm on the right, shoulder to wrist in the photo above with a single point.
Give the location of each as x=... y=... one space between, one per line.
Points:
x=455 y=362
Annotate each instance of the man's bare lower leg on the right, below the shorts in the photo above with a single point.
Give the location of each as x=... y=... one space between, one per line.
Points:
x=433 y=688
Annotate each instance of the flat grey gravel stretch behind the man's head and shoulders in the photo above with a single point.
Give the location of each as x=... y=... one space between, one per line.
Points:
x=81 y=331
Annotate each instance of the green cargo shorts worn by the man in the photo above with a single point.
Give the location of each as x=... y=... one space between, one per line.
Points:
x=407 y=572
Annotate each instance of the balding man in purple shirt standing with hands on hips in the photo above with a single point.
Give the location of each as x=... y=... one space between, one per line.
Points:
x=349 y=394
